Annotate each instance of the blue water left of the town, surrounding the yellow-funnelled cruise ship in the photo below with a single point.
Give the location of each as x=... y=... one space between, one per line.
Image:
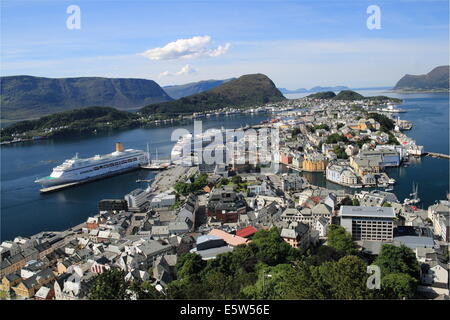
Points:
x=24 y=211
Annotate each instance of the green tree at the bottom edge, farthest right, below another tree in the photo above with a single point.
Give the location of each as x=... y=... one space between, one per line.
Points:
x=398 y=286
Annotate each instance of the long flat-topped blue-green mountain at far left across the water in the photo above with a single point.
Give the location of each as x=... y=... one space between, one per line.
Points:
x=24 y=97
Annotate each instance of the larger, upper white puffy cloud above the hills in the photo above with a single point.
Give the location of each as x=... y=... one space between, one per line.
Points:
x=195 y=47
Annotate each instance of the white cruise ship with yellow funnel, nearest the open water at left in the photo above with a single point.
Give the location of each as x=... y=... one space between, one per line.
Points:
x=79 y=170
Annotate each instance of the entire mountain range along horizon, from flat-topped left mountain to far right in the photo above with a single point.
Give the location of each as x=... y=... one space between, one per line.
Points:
x=25 y=97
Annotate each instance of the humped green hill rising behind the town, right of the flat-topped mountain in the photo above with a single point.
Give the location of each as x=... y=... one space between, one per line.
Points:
x=248 y=90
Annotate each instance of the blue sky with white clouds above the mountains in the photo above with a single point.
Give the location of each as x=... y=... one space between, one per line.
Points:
x=298 y=44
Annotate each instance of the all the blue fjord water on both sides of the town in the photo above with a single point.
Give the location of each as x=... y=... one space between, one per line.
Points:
x=24 y=211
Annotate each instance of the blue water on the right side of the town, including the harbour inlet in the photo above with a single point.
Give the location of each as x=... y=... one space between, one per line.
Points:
x=430 y=116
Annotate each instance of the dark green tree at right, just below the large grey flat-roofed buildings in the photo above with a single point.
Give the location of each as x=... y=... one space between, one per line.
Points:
x=394 y=259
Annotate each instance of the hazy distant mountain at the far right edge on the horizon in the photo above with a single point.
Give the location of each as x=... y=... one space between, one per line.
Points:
x=436 y=79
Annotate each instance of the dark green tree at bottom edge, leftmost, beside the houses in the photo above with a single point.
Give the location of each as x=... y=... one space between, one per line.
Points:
x=109 y=285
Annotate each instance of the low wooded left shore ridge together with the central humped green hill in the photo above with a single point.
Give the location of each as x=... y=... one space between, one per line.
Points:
x=247 y=90
